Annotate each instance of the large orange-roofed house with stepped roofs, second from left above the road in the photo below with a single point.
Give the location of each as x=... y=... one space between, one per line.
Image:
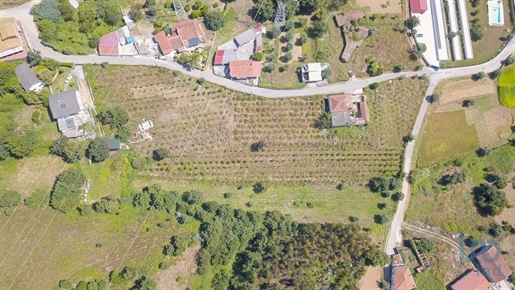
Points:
x=183 y=36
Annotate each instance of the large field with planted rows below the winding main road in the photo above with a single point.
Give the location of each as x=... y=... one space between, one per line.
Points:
x=209 y=130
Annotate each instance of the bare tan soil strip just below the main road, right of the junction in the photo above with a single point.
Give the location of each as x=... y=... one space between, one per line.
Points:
x=464 y=89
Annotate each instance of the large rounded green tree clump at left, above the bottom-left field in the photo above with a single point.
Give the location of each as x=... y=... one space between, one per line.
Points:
x=66 y=193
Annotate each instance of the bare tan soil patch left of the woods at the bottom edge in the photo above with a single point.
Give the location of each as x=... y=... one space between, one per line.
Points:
x=177 y=276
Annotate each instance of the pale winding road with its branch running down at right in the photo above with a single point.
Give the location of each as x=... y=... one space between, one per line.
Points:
x=394 y=235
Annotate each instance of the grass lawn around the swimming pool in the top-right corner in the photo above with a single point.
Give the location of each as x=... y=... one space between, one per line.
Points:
x=493 y=36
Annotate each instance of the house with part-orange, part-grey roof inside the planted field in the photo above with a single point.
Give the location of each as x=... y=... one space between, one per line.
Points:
x=348 y=110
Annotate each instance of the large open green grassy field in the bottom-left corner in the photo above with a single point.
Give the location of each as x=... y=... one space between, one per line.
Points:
x=40 y=247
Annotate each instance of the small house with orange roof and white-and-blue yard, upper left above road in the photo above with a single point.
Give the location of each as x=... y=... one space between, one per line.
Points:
x=118 y=42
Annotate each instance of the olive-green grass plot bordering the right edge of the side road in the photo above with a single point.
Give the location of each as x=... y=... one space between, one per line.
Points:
x=447 y=136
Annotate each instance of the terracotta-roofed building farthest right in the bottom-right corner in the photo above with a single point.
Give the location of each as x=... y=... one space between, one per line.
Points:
x=492 y=264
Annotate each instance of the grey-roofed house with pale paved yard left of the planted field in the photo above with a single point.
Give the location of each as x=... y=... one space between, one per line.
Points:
x=71 y=113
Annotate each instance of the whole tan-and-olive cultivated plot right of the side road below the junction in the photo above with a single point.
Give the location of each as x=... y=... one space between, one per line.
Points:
x=453 y=129
